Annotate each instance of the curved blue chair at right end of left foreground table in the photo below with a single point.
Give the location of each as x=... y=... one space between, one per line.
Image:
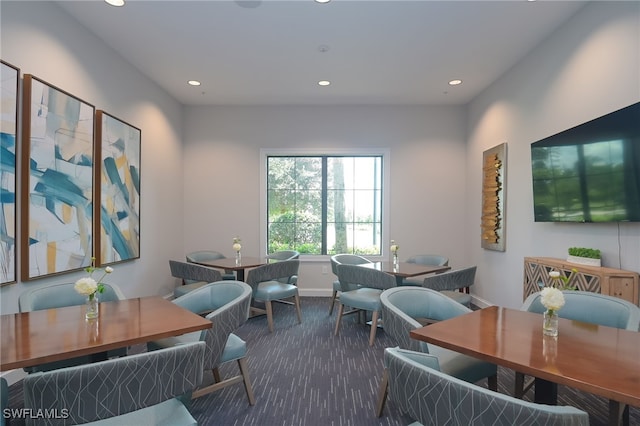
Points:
x=228 y=303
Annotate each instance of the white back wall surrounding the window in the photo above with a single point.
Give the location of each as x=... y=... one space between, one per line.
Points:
x=222 y=173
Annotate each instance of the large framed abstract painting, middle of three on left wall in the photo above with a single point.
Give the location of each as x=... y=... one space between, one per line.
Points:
x=57 y=180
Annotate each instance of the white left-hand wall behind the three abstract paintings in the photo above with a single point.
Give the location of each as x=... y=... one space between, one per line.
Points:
x=43 y=40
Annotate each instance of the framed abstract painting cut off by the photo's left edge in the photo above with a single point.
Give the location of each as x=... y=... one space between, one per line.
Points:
x=9 y=80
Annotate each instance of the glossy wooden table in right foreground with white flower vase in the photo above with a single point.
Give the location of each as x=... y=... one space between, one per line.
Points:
x=601 y=360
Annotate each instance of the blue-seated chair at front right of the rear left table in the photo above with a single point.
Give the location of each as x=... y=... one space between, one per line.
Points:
x=268 y=287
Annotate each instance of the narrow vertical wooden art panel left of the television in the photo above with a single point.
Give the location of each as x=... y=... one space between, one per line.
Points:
x=493 y=221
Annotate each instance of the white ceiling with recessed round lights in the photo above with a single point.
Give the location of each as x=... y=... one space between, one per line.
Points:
x=267 y=52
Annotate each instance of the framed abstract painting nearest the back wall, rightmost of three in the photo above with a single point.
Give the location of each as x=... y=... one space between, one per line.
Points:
x=117 y=237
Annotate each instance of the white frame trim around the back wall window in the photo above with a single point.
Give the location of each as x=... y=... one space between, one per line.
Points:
x=355 y=152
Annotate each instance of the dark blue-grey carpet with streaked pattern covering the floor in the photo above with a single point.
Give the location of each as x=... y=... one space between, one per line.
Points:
x=304 y=375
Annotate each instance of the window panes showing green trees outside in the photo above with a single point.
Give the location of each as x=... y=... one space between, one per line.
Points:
x=324 y=204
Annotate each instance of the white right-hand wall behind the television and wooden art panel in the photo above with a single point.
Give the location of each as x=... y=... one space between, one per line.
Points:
x=588 y=68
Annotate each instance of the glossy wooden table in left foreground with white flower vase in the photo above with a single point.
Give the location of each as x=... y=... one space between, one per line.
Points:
x=37 y=337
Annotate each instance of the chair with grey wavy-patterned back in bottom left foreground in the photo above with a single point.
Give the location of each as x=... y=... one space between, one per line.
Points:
x=142 y=389
